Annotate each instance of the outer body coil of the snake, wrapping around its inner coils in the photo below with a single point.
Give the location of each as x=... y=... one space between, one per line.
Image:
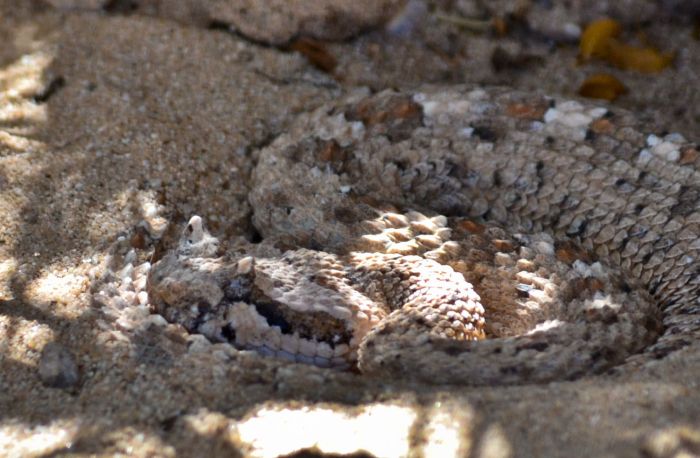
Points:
x=528 y=163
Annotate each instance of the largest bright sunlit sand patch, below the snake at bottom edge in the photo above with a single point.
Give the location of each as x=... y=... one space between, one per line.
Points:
x=381 y=430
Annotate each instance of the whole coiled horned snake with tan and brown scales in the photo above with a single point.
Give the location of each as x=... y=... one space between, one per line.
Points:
x=579 y=231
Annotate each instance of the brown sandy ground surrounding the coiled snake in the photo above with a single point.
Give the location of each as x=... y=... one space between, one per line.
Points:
x=112 y=113
